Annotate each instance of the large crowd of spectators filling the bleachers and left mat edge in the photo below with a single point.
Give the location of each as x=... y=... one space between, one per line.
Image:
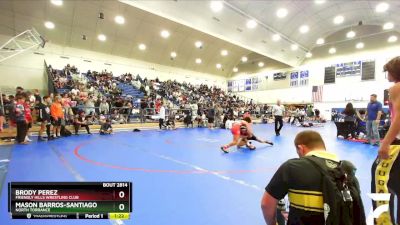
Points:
x=94 y=98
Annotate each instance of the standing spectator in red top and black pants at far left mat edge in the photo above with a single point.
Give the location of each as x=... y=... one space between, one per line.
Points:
x=20 y=118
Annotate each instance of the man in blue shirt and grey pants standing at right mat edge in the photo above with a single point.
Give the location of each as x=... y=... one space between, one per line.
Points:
x=373 y=115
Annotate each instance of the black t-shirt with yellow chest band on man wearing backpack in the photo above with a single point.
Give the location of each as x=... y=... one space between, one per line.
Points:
x=302 y=182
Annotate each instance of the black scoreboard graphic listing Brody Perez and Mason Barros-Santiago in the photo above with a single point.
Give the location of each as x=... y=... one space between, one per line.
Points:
x=70 y=200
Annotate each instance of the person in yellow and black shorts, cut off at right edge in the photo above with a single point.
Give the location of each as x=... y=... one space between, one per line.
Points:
x=385 y=170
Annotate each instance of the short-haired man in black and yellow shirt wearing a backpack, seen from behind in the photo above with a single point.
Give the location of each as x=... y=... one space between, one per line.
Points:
x=317 y=183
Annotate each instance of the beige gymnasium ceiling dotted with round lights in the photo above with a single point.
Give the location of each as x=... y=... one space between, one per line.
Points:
x=191 y=21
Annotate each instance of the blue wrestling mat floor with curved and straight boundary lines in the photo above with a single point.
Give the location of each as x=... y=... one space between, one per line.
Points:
x=179 y=177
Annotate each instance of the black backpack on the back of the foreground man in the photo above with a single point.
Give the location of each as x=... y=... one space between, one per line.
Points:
x=341 y=192
